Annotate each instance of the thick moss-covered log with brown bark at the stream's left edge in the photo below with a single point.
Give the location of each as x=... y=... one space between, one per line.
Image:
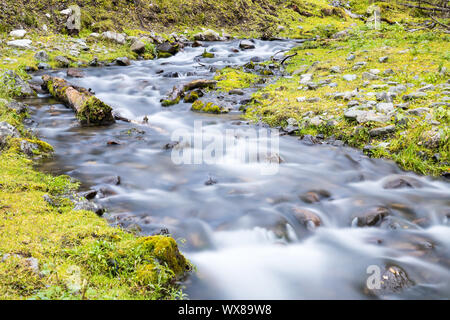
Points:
x=89 y=109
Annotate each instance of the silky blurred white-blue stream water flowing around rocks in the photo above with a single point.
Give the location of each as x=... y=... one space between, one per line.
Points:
x=239 y=225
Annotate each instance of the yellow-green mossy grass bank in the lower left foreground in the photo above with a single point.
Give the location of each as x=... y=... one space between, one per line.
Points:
x=50 y=251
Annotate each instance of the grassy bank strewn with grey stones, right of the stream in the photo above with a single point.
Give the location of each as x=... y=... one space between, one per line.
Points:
x=417 y=134
